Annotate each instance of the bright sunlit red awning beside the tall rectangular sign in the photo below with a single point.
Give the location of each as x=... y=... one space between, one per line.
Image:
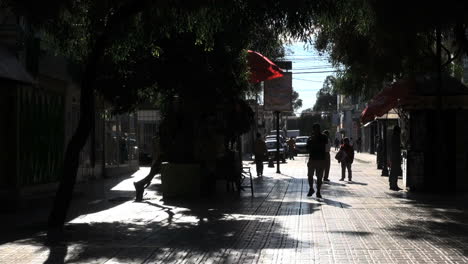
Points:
x=261 y=68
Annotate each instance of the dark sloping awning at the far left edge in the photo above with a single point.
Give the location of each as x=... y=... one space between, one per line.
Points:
x=11 y=68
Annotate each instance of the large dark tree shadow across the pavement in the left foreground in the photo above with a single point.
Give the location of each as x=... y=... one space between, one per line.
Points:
x=211 y=232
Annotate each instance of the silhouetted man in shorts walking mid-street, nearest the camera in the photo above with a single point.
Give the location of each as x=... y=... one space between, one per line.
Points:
x=316 y=164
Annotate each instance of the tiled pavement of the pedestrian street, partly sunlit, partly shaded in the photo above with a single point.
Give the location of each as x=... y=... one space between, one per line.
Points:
x=356 y=222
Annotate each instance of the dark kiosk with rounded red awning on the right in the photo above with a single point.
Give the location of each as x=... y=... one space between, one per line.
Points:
x=435 y=157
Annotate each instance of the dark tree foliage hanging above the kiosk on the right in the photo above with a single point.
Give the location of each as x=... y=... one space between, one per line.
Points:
x=374 y=41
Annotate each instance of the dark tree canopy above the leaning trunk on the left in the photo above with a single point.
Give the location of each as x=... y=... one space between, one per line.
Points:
x=155 y=51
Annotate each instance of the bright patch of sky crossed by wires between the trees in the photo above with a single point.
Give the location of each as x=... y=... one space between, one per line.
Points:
x=309 y=71
